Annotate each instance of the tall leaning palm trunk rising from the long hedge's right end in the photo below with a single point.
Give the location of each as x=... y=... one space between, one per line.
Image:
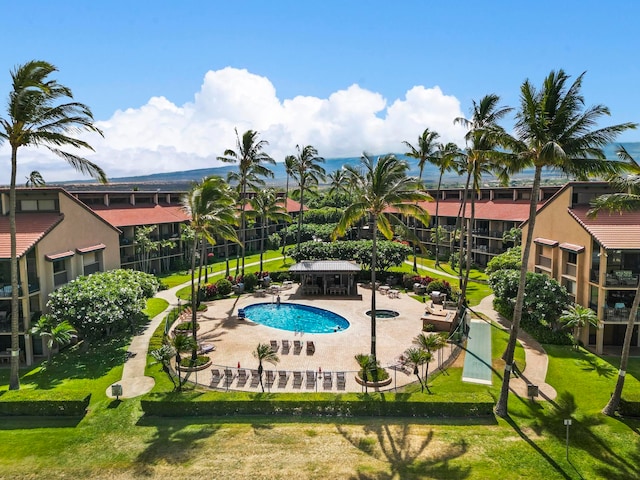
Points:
x=503 y=401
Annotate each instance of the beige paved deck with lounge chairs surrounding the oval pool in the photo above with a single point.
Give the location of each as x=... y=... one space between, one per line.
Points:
x=235 y=339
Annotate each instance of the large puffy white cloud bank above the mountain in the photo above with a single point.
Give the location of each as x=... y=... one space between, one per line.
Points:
x=163 y=137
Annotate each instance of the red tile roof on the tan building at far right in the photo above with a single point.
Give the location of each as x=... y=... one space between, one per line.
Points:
x=612 y=230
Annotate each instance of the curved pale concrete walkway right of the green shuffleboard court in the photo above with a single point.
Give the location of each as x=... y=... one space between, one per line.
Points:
x=536 y=358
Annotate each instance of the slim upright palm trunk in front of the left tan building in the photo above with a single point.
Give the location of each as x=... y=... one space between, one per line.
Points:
x=14 y=376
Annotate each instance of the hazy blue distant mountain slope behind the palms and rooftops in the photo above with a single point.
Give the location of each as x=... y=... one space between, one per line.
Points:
x=181 y=180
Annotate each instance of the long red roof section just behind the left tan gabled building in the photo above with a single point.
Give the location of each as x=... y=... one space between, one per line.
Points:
x=132 y=215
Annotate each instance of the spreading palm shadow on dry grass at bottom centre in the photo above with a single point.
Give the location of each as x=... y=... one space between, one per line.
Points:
x=405 y=453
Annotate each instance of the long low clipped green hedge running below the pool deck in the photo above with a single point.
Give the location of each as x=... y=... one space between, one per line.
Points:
x=342 y=405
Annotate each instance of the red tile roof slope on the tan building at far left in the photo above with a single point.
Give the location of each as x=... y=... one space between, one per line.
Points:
x=30 y=228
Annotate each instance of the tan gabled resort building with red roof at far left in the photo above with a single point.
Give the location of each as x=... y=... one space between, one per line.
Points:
x=58 y=239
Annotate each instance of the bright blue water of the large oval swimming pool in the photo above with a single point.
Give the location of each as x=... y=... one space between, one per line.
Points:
x=296 y=318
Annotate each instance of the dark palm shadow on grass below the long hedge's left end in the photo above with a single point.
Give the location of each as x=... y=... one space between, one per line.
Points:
x=174 y=444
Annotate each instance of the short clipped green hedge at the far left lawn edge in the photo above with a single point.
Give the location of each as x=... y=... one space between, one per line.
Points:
x=25 y=402
